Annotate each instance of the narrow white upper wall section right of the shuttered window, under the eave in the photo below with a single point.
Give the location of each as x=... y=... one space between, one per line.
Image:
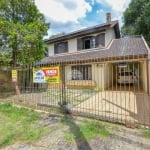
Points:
x=109 y=35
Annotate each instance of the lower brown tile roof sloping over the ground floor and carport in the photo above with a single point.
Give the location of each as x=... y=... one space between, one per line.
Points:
x=123 y=48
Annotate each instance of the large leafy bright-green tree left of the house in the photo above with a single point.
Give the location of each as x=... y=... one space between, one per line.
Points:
x=22 y=28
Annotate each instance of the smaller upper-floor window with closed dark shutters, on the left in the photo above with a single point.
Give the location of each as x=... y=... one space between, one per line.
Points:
x=61 y=47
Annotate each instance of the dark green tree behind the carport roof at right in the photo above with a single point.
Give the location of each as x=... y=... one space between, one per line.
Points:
x=137 y=19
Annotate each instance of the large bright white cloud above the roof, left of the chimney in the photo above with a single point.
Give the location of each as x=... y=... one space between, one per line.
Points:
x=63 y=10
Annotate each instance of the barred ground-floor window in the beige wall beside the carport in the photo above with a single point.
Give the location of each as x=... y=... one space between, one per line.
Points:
x=81 y=72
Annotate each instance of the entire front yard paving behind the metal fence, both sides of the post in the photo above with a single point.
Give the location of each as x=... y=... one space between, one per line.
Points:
x=119 y=106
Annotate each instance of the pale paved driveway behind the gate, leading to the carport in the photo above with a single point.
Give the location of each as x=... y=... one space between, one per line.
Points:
x=123 y=106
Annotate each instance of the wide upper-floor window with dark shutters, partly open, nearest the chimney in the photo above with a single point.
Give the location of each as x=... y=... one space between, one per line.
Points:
x=91 y=42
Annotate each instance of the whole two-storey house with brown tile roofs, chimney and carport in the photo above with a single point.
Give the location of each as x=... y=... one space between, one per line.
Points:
x=91 y=56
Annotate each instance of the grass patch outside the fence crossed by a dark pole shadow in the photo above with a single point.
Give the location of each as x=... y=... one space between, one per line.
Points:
x=85 y=129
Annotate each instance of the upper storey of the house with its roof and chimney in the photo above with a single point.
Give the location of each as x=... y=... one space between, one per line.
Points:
x=86 y=39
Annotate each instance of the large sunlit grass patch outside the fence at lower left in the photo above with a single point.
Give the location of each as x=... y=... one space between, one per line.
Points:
x=18 y=124
